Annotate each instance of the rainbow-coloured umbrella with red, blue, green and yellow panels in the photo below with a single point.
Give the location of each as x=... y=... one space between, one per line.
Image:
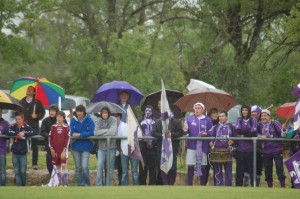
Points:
x=47 y=92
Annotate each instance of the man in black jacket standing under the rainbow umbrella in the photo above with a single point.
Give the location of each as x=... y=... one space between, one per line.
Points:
x=33 y=112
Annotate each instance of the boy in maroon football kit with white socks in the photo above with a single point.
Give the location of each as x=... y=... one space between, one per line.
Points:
x=59 y=138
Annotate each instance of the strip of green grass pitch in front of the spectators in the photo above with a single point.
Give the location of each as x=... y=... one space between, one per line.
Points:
x=144 y=192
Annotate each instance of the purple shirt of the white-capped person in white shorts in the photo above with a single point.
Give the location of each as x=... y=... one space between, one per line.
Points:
x=197 y=125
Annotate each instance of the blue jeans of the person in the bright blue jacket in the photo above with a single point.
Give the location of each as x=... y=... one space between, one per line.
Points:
x=81 y=159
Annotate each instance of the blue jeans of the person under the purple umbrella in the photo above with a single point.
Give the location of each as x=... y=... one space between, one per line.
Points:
x=134 y=170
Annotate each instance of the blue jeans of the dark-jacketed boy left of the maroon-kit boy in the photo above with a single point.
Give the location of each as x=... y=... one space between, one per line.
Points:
x=20 y=167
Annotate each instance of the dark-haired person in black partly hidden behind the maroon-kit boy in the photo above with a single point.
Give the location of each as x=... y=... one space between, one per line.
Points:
x=45 y=129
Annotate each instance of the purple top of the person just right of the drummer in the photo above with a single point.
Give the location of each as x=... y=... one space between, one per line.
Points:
x=244 y=125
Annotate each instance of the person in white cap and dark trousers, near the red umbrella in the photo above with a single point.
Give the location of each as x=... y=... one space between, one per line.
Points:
x=272 y=149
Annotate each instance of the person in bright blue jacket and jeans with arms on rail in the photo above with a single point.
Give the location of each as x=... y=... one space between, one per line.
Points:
x=82 y=126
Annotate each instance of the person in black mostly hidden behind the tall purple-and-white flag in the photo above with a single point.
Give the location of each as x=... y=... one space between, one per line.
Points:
x=175 y=132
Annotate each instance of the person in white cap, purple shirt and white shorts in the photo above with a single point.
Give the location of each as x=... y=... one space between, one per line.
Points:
x=197 y=125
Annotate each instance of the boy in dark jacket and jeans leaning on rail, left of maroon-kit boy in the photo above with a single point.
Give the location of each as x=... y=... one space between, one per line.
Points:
x=19 y=147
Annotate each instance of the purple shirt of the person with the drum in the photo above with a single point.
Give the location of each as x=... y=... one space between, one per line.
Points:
x=222 y=130
